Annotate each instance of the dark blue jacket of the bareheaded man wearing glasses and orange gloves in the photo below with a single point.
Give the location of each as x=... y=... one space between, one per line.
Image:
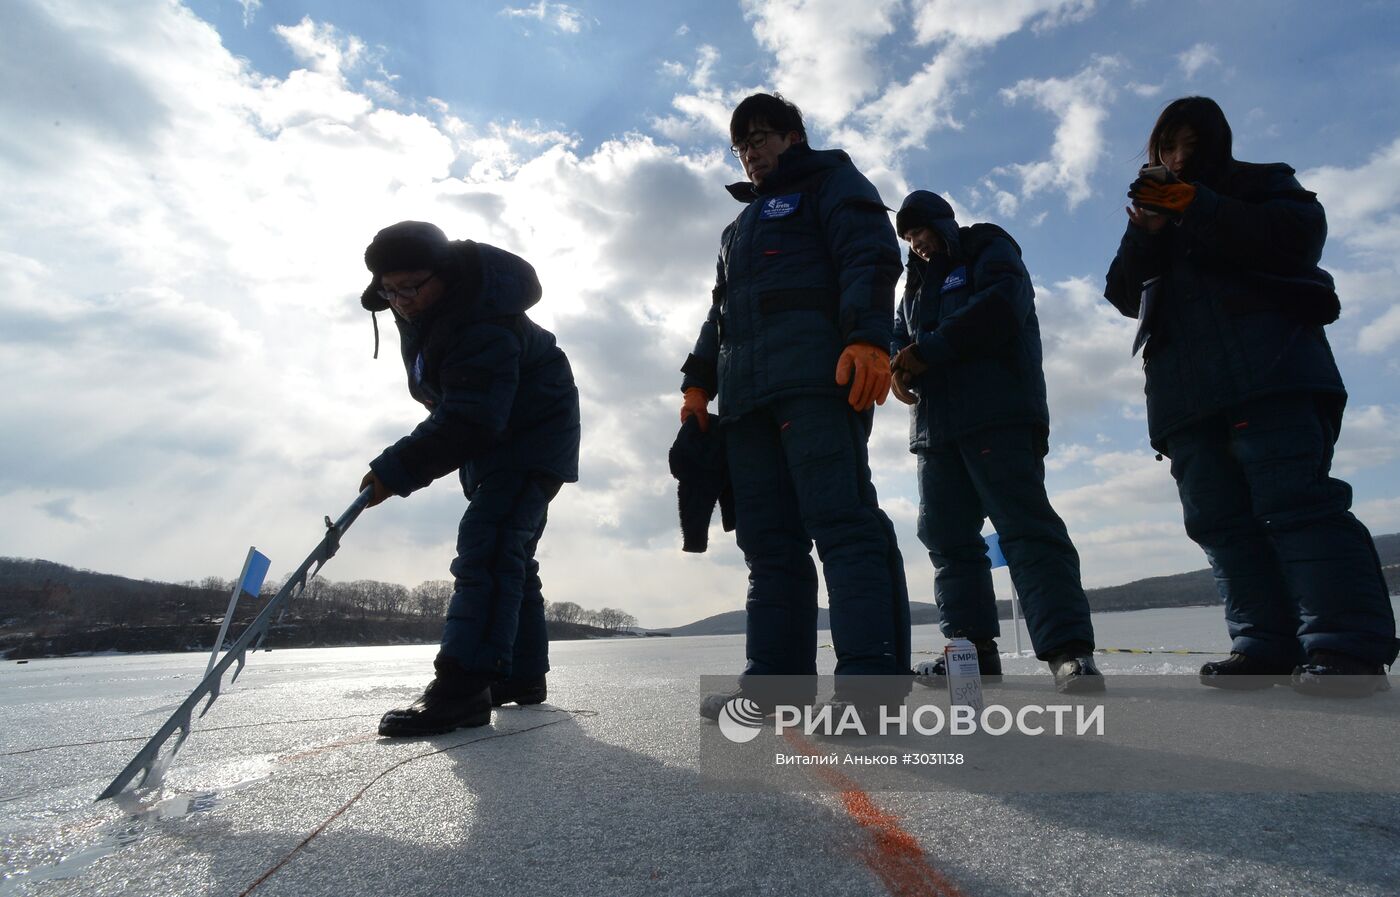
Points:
x=807 y=269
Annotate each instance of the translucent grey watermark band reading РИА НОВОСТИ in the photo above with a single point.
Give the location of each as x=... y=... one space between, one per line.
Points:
x=1147 y=733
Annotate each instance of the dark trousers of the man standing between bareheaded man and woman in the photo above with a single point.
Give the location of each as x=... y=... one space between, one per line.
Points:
x=1000 y=475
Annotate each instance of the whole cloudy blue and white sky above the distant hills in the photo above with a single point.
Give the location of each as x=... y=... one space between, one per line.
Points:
x=190 y=188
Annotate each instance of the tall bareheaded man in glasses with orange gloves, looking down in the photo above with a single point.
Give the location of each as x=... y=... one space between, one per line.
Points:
x=794 y=348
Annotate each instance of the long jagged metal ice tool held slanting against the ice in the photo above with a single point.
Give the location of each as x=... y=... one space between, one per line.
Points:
x=148 y=759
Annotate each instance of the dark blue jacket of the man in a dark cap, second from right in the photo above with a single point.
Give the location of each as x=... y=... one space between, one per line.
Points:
x=972 y=316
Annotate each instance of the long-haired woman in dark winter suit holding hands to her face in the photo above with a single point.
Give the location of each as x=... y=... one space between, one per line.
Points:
x=1220 y=265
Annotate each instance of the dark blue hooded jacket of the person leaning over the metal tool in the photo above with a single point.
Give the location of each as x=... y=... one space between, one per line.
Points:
x=499 y=391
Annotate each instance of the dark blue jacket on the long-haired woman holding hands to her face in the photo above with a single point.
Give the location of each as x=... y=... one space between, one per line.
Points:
x=1241 y=304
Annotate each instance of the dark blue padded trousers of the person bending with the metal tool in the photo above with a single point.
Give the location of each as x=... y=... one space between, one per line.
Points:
x=496 y=619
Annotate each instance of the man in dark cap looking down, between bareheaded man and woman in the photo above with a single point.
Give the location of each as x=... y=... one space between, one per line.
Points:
x=968 y=360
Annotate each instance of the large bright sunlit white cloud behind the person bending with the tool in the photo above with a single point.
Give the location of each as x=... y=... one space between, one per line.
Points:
x=202 y=267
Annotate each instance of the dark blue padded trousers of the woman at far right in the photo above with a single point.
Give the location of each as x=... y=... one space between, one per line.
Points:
x=1297 y=570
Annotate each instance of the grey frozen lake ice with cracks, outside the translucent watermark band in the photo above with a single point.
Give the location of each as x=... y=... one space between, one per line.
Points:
x=597 y=793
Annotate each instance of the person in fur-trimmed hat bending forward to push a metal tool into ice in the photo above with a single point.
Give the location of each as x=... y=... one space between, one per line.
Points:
x=503 y=414
